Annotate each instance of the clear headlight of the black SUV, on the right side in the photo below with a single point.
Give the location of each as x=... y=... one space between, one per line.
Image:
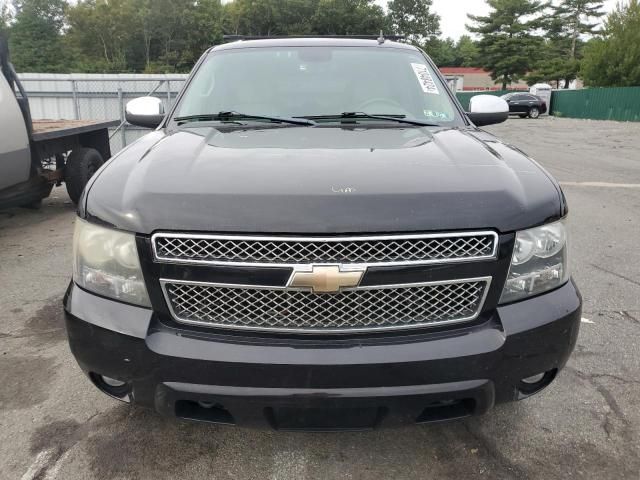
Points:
x=538 y=263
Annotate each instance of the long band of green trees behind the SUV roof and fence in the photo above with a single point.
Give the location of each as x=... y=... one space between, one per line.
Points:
x=162 y=36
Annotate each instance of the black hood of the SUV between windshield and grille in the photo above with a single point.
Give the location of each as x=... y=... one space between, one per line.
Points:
x=321 y=180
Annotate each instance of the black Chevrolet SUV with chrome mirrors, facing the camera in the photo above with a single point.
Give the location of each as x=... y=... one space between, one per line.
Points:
x=316 y=236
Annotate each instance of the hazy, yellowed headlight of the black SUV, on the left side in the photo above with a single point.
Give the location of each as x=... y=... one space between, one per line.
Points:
x=106 y=262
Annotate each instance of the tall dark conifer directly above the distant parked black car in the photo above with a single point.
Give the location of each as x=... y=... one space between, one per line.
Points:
x=508 y=46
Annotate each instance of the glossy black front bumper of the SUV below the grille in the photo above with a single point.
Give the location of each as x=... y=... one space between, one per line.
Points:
x=325 y=384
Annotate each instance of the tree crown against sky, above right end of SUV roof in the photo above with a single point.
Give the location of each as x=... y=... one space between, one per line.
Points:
x=414 y=19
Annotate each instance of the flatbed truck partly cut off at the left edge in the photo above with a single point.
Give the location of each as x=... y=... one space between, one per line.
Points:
x=35 y=155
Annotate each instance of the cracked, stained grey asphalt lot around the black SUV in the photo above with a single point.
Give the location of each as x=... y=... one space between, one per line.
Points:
x=55 y=425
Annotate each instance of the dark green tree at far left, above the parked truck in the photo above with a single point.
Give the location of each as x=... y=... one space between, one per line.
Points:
x=35 y=37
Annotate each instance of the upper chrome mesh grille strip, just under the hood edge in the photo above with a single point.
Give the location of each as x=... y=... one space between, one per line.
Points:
x=213 y=249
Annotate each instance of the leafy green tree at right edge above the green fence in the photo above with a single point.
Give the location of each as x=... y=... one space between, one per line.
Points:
x=614 y=59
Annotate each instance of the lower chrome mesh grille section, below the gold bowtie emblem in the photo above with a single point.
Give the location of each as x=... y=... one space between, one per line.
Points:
x=364 y=308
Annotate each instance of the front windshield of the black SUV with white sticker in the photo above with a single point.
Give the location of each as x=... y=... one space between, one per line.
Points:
x=319 y=82
